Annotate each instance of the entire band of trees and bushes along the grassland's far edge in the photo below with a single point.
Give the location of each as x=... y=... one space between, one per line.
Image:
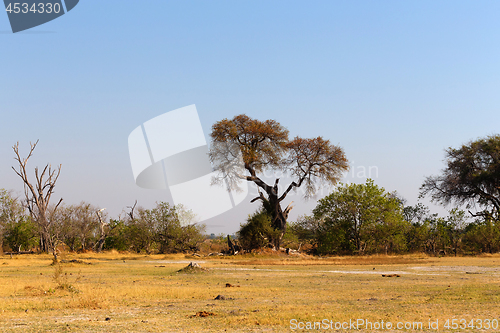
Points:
x=353 y=219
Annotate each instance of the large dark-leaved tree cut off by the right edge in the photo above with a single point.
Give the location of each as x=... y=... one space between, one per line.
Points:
x=471 y=178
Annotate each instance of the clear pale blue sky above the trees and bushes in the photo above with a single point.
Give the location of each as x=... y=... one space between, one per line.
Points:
x=393 y=82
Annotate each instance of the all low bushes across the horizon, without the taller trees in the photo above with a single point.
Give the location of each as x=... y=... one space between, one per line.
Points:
x=354 y=219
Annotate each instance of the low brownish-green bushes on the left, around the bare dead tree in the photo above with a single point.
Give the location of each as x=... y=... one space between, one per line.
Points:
x=81 y=227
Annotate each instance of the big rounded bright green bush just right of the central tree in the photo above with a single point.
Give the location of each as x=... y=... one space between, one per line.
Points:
x=360 y=218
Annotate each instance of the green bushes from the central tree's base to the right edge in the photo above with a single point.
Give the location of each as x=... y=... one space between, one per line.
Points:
x=363 y=219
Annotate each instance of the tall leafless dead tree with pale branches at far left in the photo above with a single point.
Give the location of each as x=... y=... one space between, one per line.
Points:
x=38 y=197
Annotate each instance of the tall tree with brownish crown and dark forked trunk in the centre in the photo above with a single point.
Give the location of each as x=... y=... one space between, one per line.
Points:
x=243 y=148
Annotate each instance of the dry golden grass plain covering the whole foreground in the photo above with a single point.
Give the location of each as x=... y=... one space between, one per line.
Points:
x=114 y=292
